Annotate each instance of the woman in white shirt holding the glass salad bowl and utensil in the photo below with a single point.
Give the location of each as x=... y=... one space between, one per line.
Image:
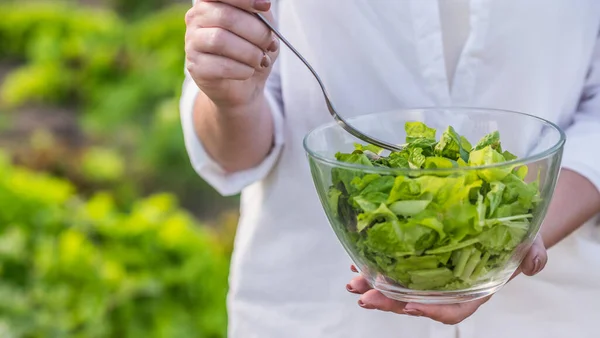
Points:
x=247 y=104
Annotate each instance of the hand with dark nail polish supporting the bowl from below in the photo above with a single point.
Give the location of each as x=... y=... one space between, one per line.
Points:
x=451 y=314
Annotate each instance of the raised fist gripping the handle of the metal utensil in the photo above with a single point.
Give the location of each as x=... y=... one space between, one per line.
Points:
x=230 y=52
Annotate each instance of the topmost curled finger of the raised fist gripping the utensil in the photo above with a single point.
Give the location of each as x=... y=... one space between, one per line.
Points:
x=239 y=22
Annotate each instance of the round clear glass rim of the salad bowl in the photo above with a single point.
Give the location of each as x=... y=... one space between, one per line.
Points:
x=513 y=163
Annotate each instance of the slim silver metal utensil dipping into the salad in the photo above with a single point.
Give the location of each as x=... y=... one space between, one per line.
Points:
x=336 y=116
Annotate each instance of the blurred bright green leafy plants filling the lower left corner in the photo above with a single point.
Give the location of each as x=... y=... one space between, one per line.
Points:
x=71 y=267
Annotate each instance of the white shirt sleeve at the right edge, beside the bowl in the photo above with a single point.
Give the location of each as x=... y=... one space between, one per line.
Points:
x=581 y=153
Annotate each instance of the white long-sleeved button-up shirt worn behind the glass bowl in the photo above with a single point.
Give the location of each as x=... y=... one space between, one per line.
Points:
x=542 y=57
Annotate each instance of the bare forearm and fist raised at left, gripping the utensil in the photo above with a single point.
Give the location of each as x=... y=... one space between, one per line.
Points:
x=230 y=55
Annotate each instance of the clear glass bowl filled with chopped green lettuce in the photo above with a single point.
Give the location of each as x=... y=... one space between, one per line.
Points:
x=433 y=259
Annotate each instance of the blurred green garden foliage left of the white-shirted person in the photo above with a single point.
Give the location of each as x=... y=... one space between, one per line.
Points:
x=99 y=229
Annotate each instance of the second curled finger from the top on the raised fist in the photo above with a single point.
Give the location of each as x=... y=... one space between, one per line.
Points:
x=221 y=42
